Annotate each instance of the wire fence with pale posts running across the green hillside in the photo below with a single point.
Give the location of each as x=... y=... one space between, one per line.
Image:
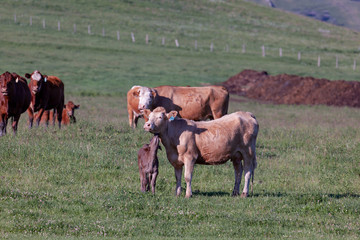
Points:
x=316 y=59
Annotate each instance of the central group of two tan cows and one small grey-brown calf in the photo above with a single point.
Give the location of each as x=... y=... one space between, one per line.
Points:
x=176 y=116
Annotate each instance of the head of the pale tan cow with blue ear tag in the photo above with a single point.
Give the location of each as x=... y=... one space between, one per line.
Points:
x=158 y=119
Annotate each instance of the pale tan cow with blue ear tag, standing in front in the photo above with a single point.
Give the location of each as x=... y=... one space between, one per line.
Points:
x=231 y=137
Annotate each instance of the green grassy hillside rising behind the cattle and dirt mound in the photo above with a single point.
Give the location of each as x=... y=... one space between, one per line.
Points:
x=77 y=41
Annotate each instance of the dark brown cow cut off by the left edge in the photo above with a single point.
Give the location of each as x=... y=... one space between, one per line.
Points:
x=15 y=98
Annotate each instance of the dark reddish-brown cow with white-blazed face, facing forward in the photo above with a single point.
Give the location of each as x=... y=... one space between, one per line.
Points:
x=47 y=92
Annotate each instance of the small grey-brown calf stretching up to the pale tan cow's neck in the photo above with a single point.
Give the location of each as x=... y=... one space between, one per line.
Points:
x=149 y=164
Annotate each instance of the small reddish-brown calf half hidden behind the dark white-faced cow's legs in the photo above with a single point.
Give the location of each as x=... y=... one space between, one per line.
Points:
x=68 y=114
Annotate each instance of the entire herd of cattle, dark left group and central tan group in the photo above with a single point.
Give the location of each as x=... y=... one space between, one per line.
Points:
x=175 y=115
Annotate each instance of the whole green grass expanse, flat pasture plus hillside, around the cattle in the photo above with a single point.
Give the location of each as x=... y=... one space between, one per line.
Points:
x=82 y=181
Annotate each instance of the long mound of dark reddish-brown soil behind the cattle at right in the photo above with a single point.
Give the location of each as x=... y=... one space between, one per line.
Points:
x=292 y=89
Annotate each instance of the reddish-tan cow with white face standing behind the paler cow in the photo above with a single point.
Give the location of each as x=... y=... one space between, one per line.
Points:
x=194 y=103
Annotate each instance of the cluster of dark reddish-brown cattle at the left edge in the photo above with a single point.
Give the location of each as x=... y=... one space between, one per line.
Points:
x=43 y=98
